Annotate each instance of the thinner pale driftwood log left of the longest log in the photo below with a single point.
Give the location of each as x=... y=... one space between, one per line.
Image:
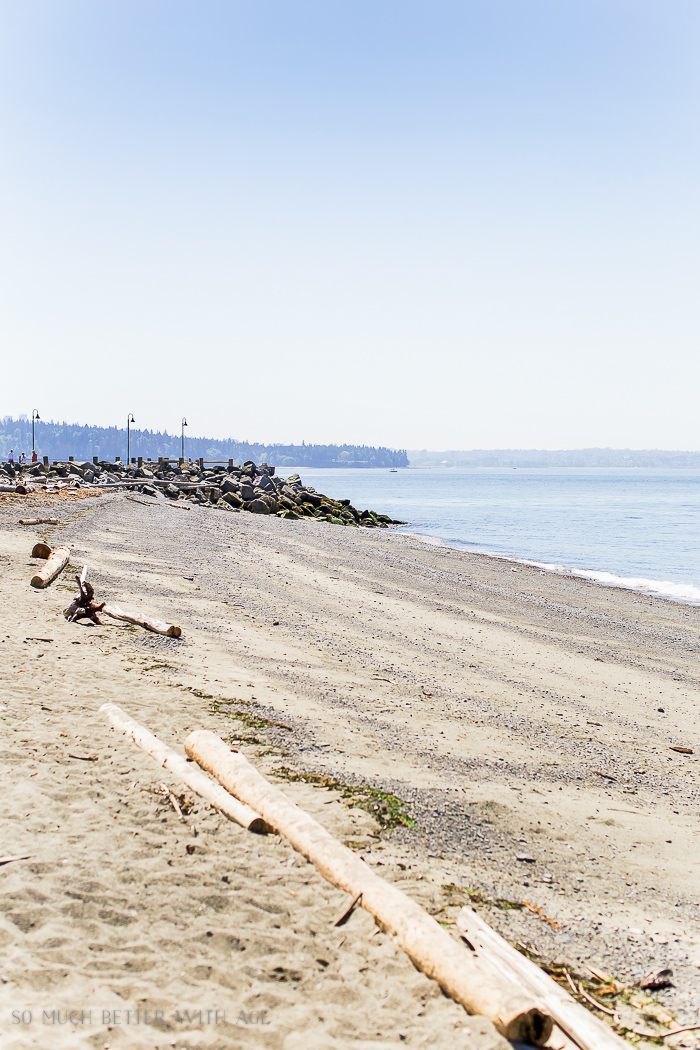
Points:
x=190 y=775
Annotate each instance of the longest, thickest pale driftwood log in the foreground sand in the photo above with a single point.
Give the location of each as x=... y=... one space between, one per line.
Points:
x=479 y=988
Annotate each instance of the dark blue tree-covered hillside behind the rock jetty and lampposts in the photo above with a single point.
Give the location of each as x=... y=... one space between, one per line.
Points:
x=61 y=440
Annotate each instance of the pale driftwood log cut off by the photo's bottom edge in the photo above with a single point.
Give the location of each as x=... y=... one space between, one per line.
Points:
x=586 y=1031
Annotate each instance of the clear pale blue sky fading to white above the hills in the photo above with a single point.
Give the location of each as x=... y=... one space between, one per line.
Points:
x=442 y=225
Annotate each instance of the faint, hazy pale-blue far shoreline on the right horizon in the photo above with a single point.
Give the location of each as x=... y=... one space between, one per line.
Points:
x=544 y=457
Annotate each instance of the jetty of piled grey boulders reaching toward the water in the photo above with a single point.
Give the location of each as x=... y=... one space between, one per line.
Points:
x=252 y=488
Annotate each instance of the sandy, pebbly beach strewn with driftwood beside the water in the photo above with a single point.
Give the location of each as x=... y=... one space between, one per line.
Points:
x=517 y=715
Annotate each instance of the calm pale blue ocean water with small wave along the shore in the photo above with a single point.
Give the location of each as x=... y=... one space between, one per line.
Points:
x=635 y=529
